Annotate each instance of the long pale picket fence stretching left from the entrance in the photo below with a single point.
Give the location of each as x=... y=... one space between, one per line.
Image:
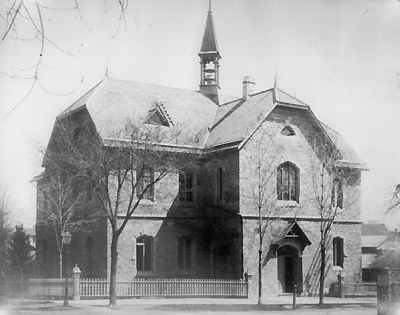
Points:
x=137 y=288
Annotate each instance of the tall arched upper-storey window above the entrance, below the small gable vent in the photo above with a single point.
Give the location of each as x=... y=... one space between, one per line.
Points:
x=288 y=182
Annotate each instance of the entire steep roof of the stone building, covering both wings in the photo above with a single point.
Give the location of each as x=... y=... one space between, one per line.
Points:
x=112 y=102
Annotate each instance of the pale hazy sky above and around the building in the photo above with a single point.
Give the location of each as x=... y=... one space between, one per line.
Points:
x=340 y=57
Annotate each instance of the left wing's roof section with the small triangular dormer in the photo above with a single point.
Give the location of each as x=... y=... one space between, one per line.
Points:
x=112 y=102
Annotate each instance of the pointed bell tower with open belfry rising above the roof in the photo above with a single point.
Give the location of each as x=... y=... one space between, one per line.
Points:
x=209 y=61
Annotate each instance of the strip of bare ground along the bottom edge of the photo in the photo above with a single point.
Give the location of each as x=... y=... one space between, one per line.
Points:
x=200 y=307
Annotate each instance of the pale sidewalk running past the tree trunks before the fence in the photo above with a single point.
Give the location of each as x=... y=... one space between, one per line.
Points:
x=276 y=303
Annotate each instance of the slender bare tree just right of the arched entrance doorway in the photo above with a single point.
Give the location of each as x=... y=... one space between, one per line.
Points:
x=331 y=180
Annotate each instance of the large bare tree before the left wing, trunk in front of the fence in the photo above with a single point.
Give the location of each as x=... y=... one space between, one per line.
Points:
x=122 y=169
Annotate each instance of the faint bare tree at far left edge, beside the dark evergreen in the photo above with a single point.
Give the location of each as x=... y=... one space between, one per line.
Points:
x=8 y=215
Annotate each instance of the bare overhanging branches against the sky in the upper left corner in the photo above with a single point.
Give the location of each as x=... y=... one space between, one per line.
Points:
x=28 y=22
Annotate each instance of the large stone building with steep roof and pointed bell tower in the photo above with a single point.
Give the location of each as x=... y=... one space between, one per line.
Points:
x=204 y=224
